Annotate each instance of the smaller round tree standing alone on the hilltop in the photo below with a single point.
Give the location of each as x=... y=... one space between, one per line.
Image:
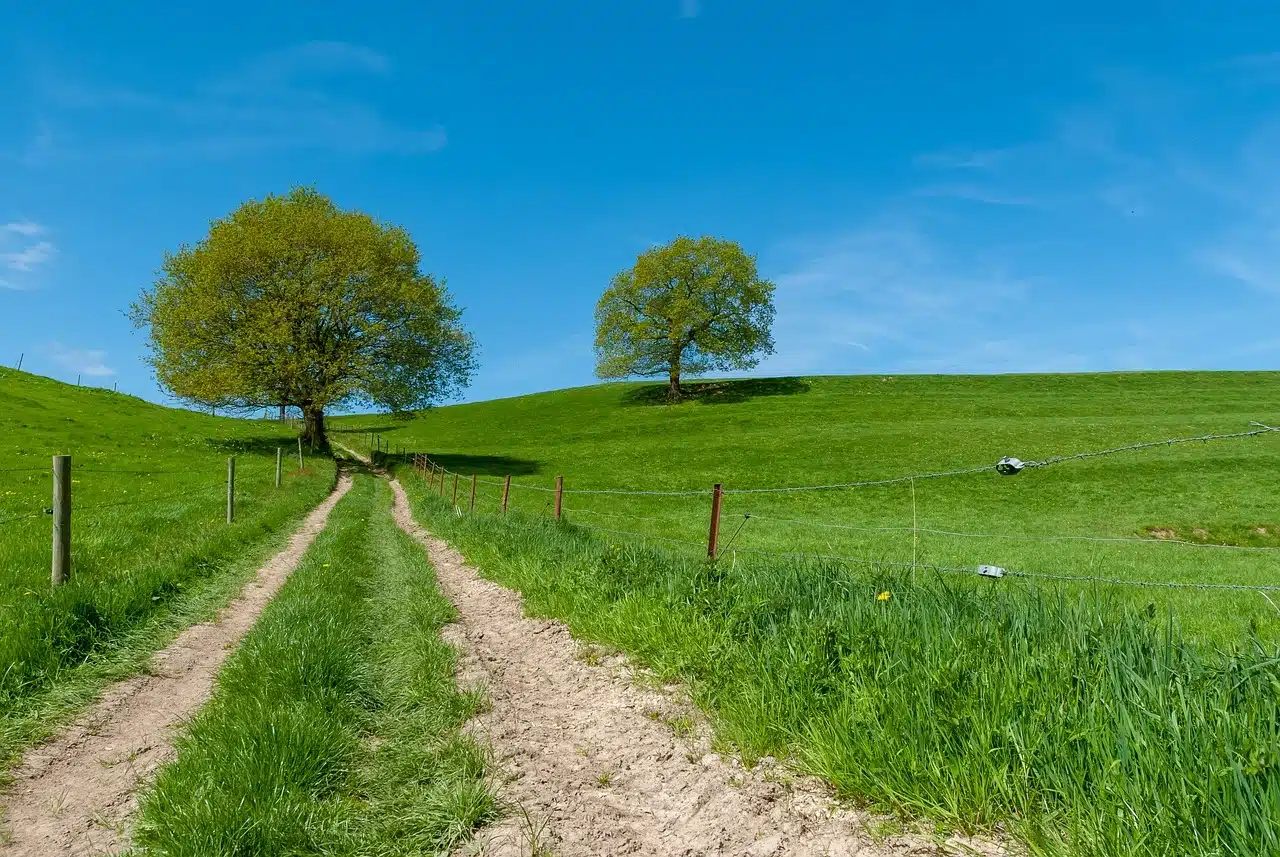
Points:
x=692 y=306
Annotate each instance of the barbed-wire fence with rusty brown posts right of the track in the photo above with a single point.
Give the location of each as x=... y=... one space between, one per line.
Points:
x=508 y=488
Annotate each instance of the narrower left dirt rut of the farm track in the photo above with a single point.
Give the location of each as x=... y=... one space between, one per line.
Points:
x=76 y=794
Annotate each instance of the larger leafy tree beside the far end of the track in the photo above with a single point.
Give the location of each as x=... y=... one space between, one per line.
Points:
x=291 y=301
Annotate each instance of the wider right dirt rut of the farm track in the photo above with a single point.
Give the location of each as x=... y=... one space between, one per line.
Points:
x=595 y=762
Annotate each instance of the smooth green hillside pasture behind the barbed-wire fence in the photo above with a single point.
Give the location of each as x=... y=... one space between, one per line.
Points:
x=824 y=430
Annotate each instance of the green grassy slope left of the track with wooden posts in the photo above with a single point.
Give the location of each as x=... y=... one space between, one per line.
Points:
x=152 y=549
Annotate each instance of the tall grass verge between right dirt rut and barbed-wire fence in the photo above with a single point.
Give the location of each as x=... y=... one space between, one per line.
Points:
x=1080 y=725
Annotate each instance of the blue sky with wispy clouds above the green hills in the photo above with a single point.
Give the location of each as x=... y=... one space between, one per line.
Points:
x=934 y=187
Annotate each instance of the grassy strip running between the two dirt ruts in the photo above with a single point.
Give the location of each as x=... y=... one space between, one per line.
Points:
x=335 y=730
